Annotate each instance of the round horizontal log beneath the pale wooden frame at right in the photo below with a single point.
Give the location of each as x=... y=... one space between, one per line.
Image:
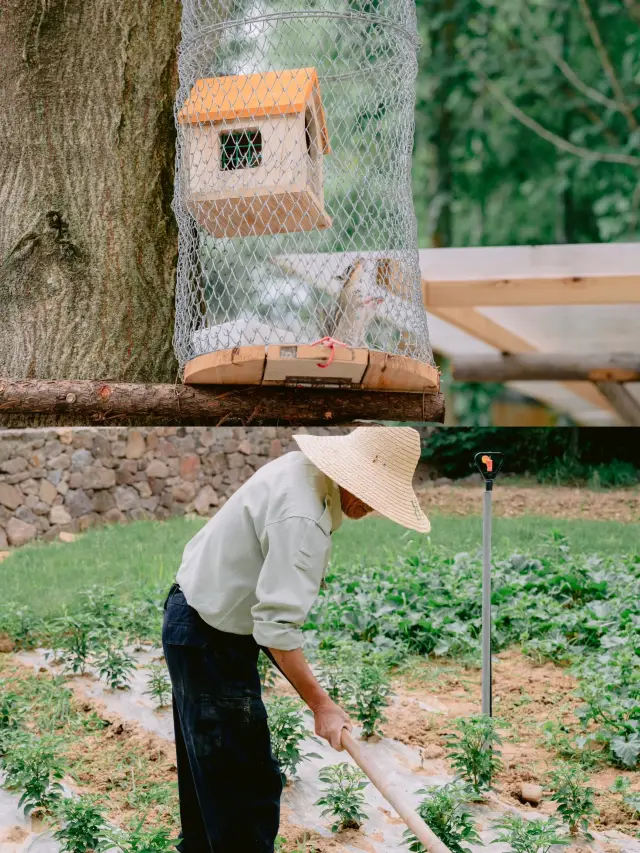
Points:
x=615 y=367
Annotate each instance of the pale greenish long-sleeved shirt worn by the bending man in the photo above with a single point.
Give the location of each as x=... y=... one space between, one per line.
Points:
x=257 y=565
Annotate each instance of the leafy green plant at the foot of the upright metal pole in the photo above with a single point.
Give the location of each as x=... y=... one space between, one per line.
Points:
x=472 y=751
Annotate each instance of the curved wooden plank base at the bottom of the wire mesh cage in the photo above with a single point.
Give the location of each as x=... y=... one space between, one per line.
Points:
x=300 y=365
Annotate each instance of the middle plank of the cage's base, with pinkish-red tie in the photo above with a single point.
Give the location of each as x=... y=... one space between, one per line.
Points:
x=300 y=364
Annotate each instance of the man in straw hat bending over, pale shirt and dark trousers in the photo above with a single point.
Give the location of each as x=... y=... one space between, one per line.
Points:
x=247 y=581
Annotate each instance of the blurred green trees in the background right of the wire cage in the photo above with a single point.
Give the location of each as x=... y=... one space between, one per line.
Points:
x=527 y=132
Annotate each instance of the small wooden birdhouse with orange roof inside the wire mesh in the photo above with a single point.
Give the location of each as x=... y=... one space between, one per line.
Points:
x=253 y=153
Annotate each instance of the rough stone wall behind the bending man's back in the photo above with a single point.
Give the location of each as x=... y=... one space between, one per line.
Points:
x=62 y=481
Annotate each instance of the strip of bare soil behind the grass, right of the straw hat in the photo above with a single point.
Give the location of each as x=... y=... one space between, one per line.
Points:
x=549 y=501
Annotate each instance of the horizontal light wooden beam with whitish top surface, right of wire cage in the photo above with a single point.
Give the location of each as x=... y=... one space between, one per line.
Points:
x=585 y=274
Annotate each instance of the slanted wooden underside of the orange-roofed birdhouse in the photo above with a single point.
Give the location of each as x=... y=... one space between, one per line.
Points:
x=277 y=212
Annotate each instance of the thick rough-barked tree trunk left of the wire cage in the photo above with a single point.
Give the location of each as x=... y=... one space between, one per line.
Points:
x=88 y=242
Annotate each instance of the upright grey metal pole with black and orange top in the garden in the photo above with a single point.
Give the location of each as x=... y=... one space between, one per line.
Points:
x=489 y=464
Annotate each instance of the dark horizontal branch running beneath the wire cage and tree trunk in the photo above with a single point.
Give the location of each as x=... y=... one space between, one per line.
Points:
x=104 y=403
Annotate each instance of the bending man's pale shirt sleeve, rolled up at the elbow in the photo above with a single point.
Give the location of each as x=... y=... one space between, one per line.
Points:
x=296 y=554
